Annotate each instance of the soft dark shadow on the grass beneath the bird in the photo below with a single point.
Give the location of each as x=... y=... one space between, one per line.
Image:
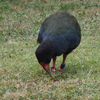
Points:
x=70 y=71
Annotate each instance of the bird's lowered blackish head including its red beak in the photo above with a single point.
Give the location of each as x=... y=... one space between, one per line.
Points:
x=44 y=55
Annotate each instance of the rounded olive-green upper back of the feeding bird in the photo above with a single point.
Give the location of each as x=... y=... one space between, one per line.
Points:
x=59 y=24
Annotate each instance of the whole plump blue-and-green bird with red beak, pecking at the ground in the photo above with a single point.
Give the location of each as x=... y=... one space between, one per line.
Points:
x=59 y=34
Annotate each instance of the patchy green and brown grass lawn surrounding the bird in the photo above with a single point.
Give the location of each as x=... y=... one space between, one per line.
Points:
x=22 y=78
